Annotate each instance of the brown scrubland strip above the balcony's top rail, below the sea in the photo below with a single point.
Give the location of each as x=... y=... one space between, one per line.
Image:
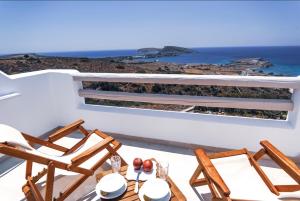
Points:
x=20 y=63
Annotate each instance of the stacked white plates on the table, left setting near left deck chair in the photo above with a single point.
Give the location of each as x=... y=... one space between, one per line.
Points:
x=111 y=186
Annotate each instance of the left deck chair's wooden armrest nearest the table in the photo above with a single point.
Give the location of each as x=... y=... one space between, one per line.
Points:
x=91 y=151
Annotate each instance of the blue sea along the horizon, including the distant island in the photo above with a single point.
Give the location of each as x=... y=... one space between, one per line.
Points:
x=285 y=59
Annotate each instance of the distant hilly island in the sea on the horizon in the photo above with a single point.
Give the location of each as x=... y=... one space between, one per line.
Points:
x=166 y=51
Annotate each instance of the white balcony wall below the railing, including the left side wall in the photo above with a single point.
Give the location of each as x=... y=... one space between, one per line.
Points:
x=50 y=98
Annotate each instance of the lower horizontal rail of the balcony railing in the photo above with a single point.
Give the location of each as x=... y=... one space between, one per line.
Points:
x=207 y=101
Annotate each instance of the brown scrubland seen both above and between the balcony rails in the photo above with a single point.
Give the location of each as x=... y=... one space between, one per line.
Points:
x=249 y=66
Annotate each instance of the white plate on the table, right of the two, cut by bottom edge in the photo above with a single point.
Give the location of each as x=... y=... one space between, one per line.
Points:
x=156 y=189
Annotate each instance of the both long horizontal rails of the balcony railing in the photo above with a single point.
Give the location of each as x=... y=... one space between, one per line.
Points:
x=207 y=101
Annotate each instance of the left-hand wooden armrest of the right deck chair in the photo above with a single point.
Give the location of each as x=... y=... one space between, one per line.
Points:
x=211 y=172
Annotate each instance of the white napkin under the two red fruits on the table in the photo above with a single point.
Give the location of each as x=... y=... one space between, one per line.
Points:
x=132 y=174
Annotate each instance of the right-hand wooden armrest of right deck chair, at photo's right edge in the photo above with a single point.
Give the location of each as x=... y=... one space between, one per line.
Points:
x=284 y=162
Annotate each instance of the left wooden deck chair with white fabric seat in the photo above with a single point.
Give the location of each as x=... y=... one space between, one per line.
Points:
x=83 y=158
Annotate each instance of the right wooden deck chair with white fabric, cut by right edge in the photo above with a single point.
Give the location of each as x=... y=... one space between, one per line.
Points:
x=236 y=175
